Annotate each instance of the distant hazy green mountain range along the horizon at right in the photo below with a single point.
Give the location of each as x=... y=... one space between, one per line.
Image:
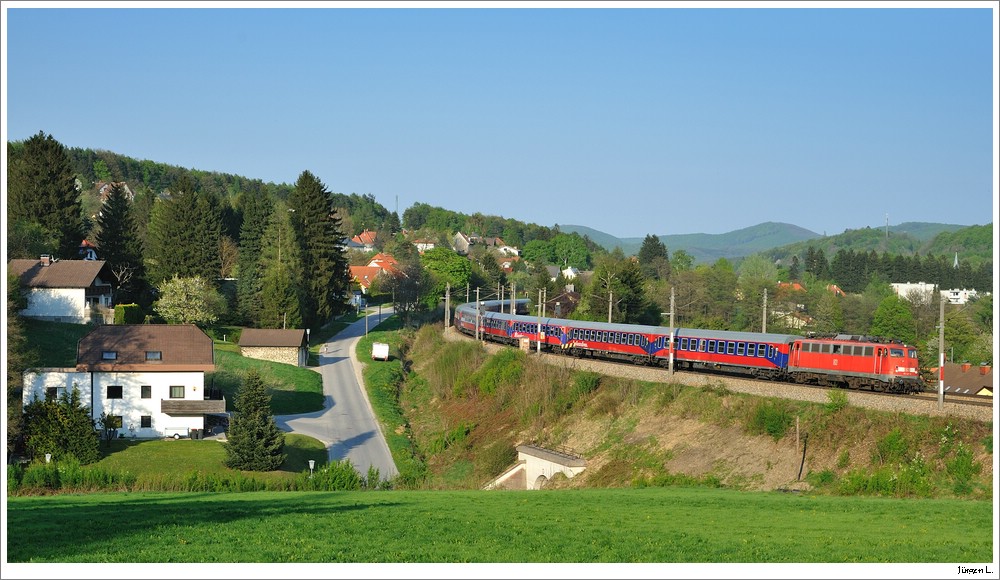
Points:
x=780 y=239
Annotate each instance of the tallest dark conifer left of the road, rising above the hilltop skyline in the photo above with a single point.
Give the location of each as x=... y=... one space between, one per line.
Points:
x=325 y=274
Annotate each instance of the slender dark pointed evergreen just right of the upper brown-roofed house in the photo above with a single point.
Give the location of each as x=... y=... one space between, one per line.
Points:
x=118 y=244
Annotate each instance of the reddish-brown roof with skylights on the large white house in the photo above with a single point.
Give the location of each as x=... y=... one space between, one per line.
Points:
x=181 y=347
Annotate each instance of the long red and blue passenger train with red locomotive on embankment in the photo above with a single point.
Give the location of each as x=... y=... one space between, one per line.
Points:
x=845 y=361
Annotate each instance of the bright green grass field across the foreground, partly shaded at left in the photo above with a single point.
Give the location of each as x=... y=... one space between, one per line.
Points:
x=647 y=525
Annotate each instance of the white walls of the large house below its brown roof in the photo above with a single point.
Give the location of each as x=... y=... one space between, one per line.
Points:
x=131 y=406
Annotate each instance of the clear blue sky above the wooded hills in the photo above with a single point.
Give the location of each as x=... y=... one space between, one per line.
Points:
x=656 y=120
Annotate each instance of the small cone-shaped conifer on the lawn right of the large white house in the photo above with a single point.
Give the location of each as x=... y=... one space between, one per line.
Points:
x=254 y=442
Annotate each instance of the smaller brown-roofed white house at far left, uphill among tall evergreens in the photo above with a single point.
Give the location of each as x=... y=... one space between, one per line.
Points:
x=77 y=291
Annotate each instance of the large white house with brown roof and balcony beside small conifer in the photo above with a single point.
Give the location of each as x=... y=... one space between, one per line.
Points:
x=150 y=376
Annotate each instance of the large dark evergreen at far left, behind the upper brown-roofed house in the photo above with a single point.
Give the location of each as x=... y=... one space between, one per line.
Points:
x=41 y=188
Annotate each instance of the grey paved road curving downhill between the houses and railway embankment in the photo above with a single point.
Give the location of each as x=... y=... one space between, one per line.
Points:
x=347 y=424
